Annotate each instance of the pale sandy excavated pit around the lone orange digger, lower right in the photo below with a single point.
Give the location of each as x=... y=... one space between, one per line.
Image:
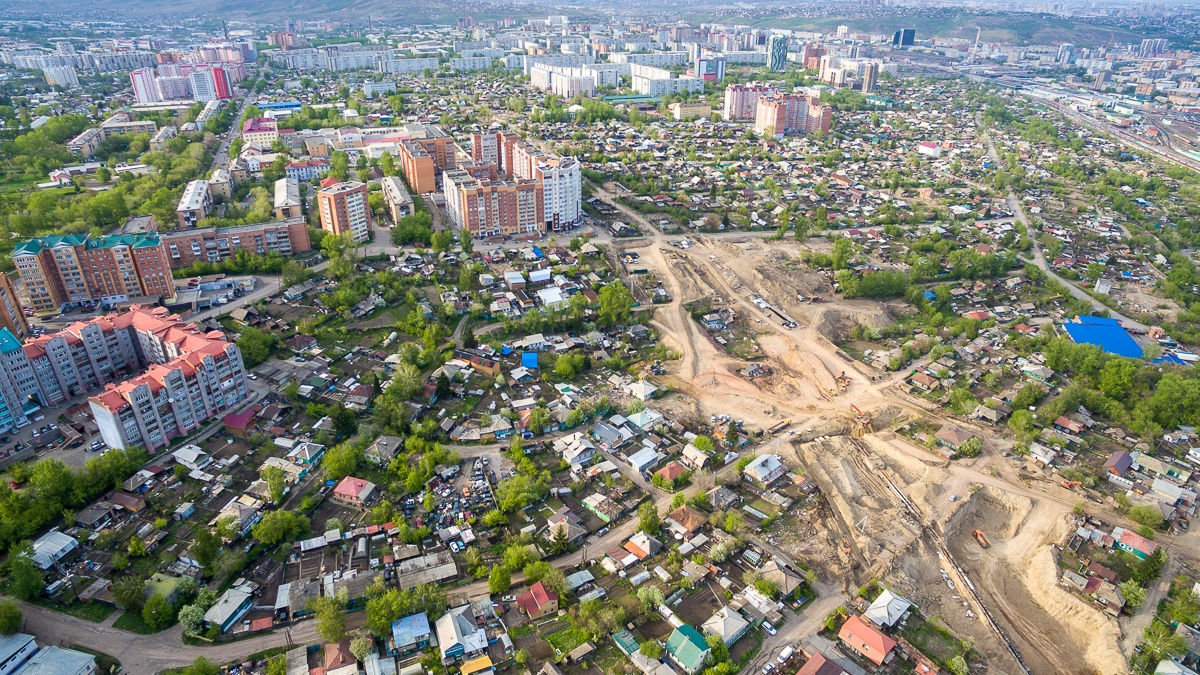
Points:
x=1054 y=631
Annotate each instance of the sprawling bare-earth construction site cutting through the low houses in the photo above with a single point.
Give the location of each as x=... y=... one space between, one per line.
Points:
x=969 y=541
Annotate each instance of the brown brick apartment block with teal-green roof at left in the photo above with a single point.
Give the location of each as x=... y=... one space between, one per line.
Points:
x=73 y=270
